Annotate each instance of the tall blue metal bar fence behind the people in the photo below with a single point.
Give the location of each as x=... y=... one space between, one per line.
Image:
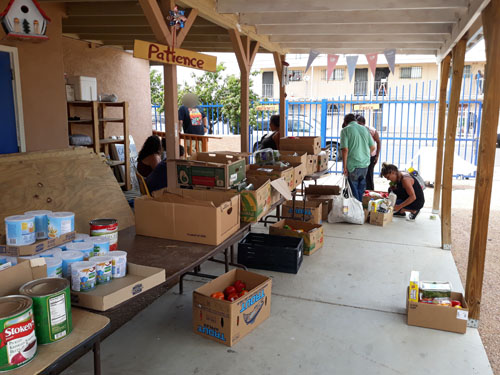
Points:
x=405 y=117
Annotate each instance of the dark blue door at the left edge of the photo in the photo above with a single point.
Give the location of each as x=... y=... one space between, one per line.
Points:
x=8 y=130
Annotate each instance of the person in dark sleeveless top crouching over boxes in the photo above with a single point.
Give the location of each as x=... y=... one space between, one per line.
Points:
x=409 y=193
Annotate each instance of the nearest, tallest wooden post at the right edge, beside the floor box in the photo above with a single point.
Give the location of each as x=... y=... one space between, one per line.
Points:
x=486 y=160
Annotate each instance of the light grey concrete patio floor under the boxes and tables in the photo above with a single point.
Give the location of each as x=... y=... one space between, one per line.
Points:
x=343 y=313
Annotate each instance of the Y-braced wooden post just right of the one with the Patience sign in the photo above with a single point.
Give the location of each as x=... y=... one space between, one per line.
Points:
x=245 y=51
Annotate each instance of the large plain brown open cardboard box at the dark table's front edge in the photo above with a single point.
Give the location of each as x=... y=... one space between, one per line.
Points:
x=201 y=216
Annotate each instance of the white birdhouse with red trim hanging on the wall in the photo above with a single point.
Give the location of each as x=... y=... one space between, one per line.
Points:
x=25 y=19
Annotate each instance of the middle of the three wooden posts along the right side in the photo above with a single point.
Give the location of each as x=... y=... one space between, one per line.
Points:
x=449 y=152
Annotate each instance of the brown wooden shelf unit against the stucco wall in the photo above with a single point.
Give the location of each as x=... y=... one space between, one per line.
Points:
x=97 y=119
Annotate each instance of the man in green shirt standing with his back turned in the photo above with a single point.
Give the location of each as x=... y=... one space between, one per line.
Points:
x=356 y=144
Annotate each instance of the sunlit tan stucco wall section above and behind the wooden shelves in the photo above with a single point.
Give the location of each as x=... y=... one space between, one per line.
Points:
x=117 y=72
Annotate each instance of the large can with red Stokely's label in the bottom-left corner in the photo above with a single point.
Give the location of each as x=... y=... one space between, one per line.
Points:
x=18 y=343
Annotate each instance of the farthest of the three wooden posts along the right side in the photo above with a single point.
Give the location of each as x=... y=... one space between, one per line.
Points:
x=443 y=88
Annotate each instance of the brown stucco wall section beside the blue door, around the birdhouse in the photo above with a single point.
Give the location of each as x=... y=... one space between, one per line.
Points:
x=42 y=84
